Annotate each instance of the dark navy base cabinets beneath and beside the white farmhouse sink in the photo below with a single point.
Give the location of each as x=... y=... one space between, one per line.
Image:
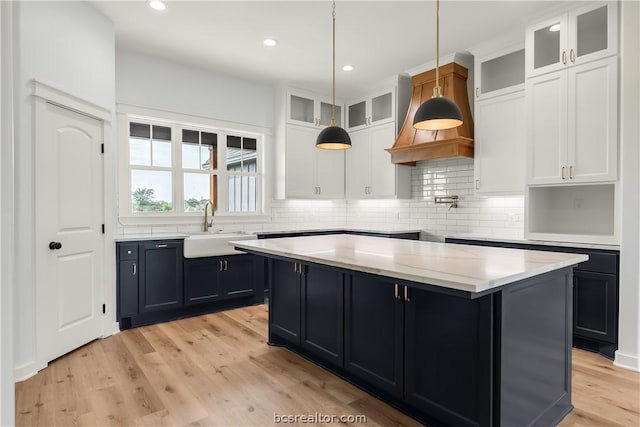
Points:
x=156 y=283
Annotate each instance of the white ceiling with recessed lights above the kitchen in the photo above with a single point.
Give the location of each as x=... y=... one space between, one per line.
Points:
x=379 y=38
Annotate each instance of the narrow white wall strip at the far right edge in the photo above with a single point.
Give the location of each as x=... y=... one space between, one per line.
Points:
x=628 y=354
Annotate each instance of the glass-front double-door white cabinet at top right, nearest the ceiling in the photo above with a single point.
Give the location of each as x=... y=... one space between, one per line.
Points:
x=583 y=35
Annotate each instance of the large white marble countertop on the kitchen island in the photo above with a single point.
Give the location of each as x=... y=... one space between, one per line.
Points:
x=462 y=267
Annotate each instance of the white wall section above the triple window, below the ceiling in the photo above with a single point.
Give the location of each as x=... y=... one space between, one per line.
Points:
x=147 y=81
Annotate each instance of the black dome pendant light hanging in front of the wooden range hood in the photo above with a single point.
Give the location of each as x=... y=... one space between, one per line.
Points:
x=438 y=112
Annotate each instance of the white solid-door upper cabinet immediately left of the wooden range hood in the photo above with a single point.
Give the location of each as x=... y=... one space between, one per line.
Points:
x=369 y=171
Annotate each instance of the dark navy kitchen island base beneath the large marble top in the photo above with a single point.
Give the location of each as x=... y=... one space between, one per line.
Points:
x=444 y=357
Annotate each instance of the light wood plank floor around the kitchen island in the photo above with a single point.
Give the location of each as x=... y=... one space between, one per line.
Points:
x=216 y=370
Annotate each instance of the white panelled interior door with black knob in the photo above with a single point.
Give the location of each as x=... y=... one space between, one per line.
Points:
x=69 y=239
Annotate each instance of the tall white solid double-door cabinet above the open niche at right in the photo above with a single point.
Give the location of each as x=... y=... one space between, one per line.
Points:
x=572 y=124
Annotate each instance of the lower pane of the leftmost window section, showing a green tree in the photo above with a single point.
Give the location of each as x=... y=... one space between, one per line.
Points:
x=151 y=191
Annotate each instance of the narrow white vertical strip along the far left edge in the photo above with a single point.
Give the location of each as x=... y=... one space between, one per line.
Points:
x=7 y=389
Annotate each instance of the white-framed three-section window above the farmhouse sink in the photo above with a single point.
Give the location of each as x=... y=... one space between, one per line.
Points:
x=176 y=169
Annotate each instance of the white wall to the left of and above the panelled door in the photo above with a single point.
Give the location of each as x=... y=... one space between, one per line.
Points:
x=69 y=46
